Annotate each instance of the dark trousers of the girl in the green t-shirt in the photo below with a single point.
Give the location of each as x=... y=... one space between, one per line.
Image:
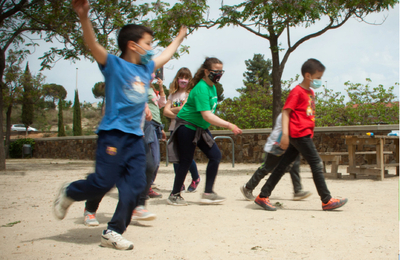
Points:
x=186 y=150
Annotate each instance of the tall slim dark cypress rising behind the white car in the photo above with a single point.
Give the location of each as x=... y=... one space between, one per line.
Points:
x=27 y=103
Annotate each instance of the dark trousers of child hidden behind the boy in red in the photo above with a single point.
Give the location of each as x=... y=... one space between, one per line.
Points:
x=269 y=164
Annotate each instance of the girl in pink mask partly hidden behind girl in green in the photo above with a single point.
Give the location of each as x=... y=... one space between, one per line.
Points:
x=179 y=92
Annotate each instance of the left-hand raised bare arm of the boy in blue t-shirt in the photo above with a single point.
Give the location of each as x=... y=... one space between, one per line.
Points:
x=99 y=53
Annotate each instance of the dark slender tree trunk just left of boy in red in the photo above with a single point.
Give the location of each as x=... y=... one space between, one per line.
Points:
x=276 y=79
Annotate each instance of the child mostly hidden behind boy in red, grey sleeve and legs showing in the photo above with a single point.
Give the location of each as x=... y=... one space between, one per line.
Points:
x=272 y=157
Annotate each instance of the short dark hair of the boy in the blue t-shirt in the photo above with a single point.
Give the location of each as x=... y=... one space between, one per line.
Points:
x=131 y=32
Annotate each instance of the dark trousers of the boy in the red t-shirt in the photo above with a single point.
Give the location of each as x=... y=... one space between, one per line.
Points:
x=306 y=147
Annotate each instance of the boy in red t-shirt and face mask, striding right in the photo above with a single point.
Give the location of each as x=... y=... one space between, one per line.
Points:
x=298 y=121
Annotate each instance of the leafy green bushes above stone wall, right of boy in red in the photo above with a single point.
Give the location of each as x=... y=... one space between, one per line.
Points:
x=366 y=106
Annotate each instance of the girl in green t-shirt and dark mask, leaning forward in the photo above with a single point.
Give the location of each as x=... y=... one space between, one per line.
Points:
x=196 y=116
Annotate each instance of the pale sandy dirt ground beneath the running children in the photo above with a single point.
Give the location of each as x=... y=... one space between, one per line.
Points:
x=365 y=228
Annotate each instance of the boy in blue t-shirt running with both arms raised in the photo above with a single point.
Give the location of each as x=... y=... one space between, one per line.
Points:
x=120 y=154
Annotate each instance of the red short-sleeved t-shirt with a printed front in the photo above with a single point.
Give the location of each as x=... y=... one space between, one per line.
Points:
x=302 y=117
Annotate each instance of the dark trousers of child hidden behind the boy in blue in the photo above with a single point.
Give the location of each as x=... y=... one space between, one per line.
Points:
x=93 y=204
